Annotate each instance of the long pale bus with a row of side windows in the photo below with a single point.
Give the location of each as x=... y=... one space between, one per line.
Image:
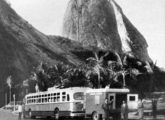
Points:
x=68 y=102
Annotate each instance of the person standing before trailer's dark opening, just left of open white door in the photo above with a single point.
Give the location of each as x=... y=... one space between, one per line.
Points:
x=124 y=111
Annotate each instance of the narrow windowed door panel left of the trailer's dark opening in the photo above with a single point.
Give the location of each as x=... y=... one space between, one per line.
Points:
x=111 y=100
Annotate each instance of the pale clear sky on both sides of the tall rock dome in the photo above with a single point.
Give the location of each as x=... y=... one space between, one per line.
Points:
x=148 y=16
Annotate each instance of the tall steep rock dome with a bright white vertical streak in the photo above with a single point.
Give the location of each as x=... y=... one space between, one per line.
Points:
x=101 y=23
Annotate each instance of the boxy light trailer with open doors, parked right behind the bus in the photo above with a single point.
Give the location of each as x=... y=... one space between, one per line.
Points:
x=95 y=98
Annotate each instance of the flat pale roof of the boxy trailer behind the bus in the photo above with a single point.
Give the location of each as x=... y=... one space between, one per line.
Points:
x=113 y=90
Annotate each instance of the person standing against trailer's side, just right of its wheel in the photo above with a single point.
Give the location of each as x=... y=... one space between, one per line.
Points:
x=105 y=107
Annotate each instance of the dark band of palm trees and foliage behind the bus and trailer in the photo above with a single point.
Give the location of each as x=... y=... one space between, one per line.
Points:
x=98 y=71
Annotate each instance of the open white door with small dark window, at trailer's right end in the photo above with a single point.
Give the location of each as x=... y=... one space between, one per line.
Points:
x=132 y=100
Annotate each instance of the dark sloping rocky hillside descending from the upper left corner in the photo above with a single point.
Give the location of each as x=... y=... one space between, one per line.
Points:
x=22 y=48
